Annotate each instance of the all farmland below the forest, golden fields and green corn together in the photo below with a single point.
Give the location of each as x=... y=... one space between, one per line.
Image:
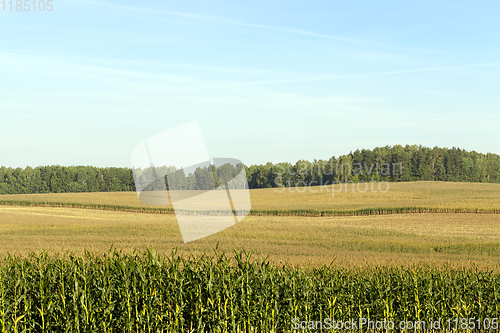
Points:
x=118 y=258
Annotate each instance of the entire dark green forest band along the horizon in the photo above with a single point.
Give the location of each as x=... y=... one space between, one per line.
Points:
x=391 y=163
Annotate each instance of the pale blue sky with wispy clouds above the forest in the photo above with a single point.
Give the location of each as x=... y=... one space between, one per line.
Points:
x=268 y=81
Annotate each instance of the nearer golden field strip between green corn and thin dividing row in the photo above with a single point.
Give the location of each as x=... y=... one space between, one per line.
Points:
x=399 y=239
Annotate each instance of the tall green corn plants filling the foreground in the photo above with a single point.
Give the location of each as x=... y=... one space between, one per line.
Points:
x=147 y=292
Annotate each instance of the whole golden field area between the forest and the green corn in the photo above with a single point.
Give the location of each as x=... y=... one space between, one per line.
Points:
x=406 y=239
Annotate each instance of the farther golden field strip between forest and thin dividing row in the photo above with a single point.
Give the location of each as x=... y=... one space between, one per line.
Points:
x=347 y=197
